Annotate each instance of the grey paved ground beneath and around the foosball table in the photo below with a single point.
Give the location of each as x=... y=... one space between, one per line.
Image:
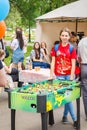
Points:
x=32 y=121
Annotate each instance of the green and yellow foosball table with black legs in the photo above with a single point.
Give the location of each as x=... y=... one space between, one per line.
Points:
x=43 y=97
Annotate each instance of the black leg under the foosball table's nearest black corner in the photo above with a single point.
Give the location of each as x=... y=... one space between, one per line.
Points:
x=44 y=117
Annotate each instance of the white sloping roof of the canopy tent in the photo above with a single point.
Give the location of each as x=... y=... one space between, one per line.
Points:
x=70 y=11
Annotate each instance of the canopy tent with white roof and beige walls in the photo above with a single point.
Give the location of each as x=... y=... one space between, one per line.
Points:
x=71 y=15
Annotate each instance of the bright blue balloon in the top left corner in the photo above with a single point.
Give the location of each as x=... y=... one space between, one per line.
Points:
x=4 y=9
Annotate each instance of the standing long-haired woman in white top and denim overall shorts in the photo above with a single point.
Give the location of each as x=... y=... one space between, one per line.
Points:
x=17 y=46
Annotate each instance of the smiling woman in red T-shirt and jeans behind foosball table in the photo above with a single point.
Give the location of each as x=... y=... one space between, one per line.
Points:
x=63 y=65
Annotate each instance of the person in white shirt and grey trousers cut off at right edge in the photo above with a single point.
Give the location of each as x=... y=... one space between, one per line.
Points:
x=82 y=58
